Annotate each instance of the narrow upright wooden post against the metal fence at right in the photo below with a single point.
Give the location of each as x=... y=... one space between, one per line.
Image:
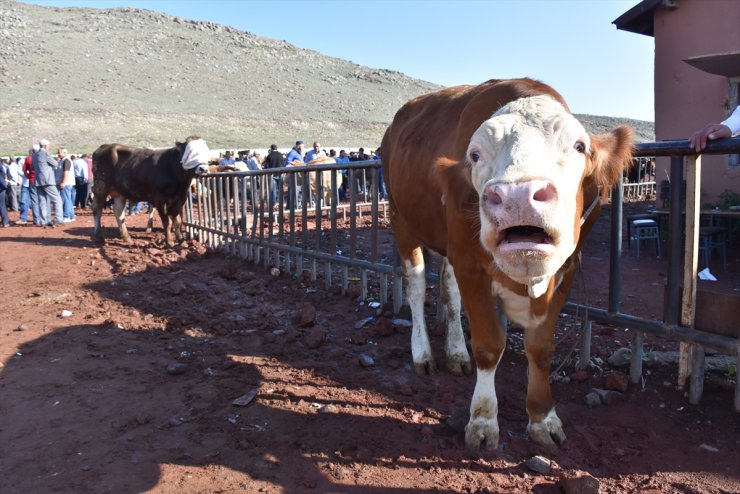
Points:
x=691 y=252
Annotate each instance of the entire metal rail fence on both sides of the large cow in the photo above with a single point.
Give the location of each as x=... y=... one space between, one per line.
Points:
x=332 y=219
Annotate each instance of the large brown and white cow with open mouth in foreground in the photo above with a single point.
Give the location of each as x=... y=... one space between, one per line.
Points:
x=504 y=182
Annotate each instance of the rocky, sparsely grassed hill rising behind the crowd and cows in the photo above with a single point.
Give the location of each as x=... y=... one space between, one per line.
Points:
x=145 y=78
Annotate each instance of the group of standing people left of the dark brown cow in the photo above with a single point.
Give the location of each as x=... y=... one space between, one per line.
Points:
x=45 y=189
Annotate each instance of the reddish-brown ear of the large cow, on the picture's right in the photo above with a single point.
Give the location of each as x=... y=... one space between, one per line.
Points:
x=610 y=154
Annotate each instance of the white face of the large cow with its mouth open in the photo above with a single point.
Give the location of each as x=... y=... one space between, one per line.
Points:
x=528 y=162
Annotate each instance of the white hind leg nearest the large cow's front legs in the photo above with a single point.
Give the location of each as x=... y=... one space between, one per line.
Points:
x=458 y=360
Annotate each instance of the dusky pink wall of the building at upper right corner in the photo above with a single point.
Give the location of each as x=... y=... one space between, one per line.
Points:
x=687 y=98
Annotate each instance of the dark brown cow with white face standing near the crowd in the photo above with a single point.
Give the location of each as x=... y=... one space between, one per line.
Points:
x=159 y=176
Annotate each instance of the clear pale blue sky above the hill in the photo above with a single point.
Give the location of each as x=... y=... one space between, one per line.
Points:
x=571 y=45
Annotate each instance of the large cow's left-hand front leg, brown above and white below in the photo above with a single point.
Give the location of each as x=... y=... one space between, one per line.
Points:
x=488 y=340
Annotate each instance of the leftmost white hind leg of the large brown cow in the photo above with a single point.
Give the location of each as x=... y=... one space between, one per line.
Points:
x=421 y=349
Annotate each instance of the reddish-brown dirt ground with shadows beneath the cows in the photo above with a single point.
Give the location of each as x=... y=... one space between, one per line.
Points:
x=134 y=390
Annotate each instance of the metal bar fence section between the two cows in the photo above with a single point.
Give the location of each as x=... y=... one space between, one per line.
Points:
x=327 y=219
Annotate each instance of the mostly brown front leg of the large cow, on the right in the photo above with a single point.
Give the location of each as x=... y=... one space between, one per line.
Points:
x=545 y=427
